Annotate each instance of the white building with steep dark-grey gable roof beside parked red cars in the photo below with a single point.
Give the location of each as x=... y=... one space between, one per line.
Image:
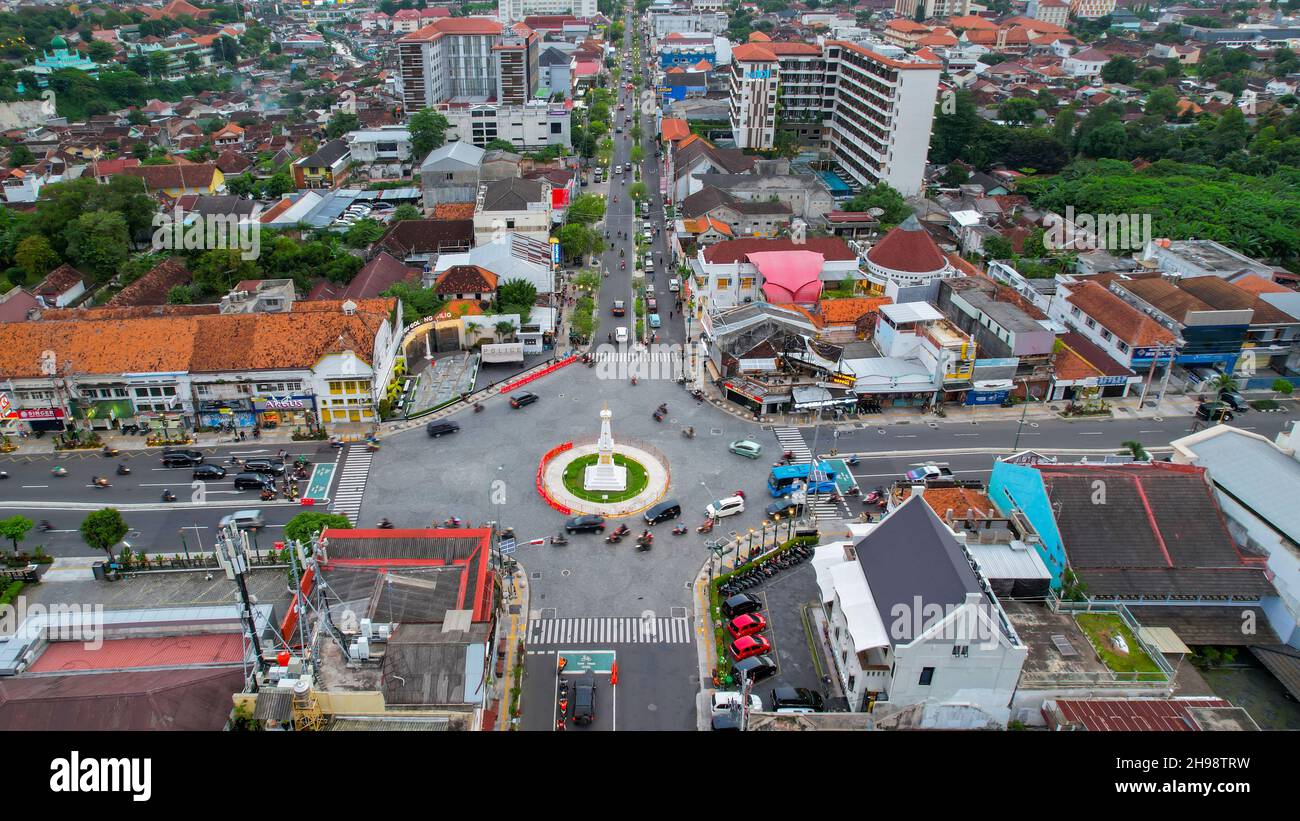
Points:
x=913 y=622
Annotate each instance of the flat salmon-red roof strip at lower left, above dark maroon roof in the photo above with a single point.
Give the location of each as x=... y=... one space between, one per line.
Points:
x=142 y=653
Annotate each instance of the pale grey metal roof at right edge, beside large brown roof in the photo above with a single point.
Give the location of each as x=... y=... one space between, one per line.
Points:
x=1256 y=474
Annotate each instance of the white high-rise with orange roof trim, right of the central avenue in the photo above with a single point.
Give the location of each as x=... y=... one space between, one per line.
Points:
x=873 y=114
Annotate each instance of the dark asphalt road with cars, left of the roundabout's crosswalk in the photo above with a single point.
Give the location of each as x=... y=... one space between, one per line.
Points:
x=33 y=492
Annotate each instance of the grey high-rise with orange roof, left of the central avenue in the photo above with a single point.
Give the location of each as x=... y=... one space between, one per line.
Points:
x=452 y=59
